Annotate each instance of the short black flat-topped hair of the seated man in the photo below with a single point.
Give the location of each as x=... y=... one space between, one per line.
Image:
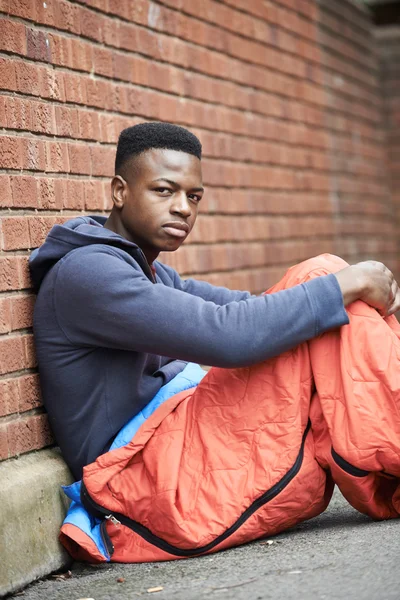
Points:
x=145 y=136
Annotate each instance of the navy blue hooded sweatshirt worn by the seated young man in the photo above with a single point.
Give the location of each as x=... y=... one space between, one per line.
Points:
x=109 y=333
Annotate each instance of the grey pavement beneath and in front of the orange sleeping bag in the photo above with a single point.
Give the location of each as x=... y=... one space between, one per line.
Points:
x=339 y=555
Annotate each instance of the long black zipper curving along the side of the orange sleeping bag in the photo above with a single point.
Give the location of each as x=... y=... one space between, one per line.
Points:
x=117 y=518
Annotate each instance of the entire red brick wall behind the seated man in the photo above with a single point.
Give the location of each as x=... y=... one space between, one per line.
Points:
x=283 y=94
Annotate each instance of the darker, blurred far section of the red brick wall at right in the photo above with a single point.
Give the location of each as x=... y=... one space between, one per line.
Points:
x=358 y=188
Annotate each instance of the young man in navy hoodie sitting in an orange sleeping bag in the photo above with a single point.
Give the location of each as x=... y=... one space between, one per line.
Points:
x=214 y=460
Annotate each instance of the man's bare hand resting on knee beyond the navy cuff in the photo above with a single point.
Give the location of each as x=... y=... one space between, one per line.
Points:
x=371 y=282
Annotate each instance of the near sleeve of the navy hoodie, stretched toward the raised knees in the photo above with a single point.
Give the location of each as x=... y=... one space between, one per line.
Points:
x=101 y=300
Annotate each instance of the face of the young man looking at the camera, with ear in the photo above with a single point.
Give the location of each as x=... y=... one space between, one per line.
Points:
x=160 y=198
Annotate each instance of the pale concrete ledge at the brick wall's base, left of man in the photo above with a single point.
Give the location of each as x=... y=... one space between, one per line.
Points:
x=32 y=508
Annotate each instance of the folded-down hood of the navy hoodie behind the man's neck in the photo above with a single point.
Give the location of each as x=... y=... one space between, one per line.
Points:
x=77 y=233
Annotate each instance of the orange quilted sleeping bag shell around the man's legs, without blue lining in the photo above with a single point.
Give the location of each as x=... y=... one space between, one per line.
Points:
x=252 y=451
